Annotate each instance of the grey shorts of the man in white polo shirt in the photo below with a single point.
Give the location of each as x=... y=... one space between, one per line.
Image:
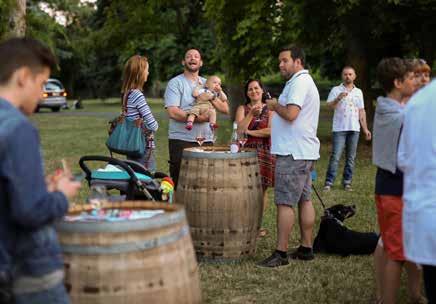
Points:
x=292 y=180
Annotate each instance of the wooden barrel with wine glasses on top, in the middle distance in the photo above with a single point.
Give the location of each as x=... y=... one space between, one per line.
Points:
x=222 y=194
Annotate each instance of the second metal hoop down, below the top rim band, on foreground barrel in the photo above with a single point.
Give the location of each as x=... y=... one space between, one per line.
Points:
x=126 y=247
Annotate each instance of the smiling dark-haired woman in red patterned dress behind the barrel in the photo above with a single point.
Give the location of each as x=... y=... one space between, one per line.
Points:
x=254 y=119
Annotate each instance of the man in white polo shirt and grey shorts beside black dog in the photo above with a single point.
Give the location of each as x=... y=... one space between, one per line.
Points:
x=294 y=142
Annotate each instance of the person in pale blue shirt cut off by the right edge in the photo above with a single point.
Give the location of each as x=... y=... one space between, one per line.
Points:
x=417 y=160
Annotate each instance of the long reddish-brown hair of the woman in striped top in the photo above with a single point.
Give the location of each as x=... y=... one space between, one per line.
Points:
x=134 y=73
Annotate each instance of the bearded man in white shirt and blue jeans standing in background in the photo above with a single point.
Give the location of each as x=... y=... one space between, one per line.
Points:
x=347 y=101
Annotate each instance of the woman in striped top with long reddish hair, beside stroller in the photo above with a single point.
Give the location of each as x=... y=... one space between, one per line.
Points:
x=136 y=107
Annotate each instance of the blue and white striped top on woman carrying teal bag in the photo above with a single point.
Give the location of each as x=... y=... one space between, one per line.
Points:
x=137 y=107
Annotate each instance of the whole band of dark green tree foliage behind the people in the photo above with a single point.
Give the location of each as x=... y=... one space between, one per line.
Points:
x=238 y=39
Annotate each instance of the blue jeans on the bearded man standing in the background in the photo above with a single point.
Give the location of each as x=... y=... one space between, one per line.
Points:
x=341 y=140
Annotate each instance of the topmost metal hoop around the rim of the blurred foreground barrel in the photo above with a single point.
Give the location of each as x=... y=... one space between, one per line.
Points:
x=158 y=221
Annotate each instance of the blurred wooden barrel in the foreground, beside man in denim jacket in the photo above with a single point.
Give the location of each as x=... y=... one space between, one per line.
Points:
x=134 y=261
